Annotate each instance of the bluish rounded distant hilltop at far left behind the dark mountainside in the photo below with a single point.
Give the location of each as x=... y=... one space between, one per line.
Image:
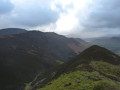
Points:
x=10 y=31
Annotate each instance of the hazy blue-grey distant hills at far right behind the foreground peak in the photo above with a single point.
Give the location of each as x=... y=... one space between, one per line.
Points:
x=112 y=44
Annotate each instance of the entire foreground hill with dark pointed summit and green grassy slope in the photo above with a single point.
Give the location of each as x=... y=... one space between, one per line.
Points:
x=94 y=69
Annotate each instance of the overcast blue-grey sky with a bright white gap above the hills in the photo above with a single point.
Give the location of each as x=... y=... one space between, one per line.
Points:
x=79 y=18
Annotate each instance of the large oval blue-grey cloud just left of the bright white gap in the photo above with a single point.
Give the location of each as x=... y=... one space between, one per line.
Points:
x=35 y=14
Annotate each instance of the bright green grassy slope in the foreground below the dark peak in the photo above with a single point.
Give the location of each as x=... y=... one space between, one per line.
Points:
x=103 y=78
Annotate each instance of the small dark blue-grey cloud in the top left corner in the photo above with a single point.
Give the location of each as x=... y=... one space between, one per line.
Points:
x=5 y=6
